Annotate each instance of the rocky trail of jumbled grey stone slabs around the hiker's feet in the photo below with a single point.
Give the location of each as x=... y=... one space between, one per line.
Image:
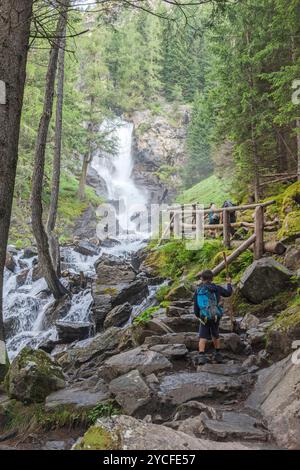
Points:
x=148 y=371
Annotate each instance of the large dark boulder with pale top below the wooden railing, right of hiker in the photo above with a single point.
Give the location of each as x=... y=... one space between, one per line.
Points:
x=264 y=279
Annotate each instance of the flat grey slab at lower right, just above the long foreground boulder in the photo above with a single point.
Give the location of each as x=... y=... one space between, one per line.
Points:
x=235 y=426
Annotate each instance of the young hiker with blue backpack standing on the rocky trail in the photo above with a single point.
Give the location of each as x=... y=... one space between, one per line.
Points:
x=209 y=311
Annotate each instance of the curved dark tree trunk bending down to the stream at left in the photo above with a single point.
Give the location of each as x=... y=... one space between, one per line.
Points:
x=45 y=261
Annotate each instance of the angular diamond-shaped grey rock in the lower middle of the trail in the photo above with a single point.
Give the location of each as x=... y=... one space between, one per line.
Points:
x=131 y=392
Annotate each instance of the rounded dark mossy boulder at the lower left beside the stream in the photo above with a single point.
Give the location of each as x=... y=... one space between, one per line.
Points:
x=33 y=375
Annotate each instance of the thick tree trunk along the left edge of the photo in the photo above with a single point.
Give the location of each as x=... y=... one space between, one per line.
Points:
x=14 y=38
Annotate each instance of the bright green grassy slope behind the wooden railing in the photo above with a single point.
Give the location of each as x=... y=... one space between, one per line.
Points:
x=212 y=189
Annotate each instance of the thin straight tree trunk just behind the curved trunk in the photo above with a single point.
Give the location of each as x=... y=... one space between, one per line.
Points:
x=53 y=240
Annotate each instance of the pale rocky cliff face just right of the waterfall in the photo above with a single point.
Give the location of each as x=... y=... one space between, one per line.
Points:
x=160 y=149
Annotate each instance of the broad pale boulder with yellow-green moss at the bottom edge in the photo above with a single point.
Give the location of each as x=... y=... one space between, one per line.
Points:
x=127 y=433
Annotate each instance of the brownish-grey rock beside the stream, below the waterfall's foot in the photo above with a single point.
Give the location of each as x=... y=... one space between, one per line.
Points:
x=112 y=269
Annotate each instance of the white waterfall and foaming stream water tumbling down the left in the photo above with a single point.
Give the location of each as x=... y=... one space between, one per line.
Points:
x=26 y=302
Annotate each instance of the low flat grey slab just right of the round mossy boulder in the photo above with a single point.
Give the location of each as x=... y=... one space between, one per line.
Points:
x=77 y=397
